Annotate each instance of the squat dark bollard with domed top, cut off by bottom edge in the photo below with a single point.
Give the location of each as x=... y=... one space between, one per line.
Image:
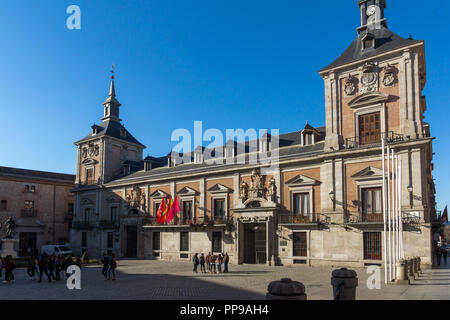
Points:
x=286 y=289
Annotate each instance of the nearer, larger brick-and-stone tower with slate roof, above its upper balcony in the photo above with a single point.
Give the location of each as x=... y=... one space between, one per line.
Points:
x=374 y=88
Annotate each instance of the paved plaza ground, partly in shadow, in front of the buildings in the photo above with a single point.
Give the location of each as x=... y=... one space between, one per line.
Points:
x=158 y=280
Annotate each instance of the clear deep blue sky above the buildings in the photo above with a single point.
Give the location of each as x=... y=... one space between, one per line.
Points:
x=232 y=64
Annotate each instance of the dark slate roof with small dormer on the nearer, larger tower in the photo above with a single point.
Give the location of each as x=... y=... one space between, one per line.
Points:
x=385 y=40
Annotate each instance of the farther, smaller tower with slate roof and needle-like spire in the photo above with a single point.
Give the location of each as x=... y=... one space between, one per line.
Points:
x=109 y=151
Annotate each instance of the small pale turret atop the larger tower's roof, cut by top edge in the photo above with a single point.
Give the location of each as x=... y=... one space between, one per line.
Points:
x=372 y=14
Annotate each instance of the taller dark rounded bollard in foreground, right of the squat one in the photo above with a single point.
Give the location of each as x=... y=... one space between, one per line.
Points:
x=344 y=282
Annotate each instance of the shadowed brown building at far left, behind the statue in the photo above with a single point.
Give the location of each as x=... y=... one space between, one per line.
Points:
x=40 y=203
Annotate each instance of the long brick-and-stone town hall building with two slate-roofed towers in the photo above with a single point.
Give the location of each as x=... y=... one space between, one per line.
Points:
x=318 y=205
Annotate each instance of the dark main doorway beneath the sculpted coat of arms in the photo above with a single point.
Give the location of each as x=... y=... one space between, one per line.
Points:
x=255 y=243
